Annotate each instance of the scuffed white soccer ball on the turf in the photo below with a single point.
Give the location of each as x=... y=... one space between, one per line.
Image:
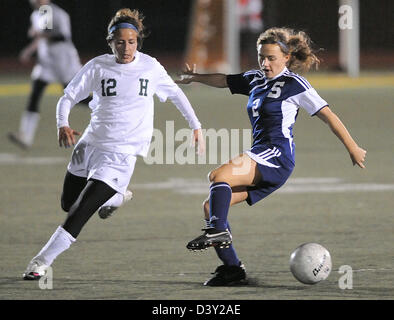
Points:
x=310 y=263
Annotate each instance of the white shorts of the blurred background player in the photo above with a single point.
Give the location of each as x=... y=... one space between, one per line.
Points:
x=59 y=64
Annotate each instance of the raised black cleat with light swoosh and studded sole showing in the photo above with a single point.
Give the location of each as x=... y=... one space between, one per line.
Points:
x=211 y=237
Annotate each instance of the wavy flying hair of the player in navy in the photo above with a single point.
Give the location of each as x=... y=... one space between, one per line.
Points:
x=296 y=43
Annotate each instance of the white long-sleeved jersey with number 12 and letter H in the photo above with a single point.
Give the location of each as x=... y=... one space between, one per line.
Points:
x=122 y=105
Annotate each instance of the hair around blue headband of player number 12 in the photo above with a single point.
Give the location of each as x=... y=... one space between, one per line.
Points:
x=129 y=16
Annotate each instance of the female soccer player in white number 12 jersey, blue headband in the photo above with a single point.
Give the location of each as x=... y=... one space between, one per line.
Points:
x=121 y=127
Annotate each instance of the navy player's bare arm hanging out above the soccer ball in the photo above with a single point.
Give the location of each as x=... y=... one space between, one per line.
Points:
x=356 y=153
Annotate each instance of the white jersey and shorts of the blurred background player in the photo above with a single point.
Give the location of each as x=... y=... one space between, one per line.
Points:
x=58 y=59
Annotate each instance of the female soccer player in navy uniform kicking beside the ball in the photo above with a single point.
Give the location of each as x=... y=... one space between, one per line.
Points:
x=275 y=96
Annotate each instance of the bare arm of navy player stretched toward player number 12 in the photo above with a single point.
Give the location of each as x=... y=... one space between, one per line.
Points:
x=188 y=75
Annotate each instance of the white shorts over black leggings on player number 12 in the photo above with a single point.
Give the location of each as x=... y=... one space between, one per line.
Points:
x=114 y=169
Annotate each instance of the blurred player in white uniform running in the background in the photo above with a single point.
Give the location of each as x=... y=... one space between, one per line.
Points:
x=57 y=61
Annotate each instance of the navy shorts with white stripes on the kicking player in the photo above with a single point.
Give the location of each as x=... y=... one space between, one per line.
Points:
x=275 y=167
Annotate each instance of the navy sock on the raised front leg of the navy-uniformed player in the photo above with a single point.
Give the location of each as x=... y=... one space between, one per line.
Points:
x=219 y=204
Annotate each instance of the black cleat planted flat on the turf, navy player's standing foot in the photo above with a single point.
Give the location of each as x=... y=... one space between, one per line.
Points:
x=228 y=276
